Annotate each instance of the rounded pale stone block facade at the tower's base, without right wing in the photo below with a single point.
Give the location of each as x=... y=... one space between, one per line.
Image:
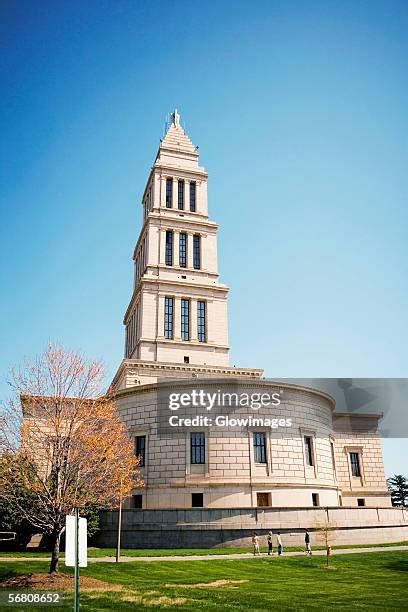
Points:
x=247 y=466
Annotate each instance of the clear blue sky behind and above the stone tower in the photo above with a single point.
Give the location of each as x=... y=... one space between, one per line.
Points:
x=300 y=113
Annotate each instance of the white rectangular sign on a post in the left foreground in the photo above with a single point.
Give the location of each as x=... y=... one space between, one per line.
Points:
x=76 y=548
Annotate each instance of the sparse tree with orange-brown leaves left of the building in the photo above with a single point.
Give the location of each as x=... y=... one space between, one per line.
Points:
x=63 y=445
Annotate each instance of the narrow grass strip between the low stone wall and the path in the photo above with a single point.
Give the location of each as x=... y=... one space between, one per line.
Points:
x=181 y=552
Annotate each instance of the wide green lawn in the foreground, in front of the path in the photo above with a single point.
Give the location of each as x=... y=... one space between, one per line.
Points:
x=361 y=581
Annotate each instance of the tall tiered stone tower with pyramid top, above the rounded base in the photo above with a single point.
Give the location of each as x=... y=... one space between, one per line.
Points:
x=178 y=310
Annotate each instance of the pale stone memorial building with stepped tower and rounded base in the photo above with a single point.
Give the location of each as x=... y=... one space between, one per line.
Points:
x=176 y=334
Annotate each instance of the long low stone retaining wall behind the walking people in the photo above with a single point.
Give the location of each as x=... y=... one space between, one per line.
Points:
x=202 y=528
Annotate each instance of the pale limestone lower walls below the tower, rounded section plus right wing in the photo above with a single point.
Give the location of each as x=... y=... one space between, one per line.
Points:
x=231 y=477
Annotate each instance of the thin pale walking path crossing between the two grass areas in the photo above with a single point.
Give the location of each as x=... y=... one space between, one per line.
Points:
x=209 y=557
